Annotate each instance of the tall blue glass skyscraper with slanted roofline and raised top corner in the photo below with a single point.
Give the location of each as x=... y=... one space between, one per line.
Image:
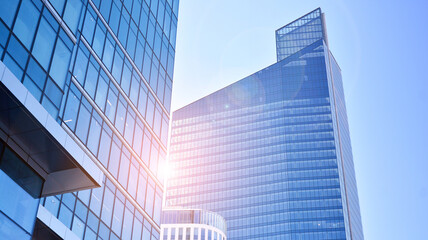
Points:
x=271 y=153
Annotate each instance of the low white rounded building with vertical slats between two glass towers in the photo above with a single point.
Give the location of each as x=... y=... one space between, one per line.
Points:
x=192 y=224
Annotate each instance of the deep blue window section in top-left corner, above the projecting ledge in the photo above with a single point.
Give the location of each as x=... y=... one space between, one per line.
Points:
x=41 y=56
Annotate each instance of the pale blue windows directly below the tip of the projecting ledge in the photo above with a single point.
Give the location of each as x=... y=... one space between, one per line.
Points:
x=102 y=212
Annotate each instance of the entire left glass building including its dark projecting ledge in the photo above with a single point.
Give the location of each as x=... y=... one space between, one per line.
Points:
x=85 y=92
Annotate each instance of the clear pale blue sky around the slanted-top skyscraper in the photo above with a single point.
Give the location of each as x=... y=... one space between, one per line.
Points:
x=382 y=49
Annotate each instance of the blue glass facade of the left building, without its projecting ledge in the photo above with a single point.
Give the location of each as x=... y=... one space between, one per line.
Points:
x=103 y=70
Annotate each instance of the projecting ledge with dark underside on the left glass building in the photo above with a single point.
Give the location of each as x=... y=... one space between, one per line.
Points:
x=39 y=140
